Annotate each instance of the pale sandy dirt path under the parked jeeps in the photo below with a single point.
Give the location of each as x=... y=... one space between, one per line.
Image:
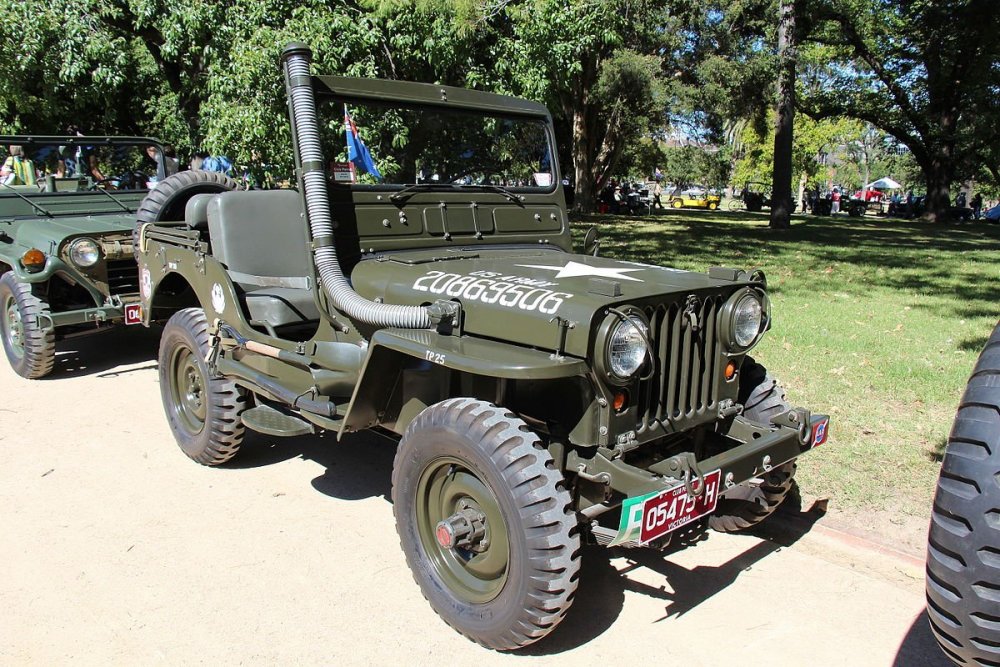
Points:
x=118 y=550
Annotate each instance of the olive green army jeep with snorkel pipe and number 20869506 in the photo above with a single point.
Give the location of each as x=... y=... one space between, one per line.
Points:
x=423 y=284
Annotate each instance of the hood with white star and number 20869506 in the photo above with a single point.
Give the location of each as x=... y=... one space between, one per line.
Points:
x=516 y=295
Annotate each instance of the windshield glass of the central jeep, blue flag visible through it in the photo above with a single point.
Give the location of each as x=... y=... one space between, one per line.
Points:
x=370 y=144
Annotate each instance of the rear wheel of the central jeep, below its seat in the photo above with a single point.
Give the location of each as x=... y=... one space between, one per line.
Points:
x=204 y=412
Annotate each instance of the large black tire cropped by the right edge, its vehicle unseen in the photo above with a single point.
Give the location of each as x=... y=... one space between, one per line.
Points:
x=963 y=544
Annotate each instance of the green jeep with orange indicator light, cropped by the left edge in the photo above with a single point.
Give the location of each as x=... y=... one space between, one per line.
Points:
x=66 y=241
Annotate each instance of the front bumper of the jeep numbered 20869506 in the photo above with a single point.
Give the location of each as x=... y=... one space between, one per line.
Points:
x=759 y=450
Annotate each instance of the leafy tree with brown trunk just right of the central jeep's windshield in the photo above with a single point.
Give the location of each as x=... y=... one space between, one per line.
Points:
x=599 y=66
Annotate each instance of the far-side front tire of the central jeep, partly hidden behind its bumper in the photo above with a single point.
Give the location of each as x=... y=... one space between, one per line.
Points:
x=749 y=503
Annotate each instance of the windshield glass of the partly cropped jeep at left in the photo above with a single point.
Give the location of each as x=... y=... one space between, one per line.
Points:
x=62 y=166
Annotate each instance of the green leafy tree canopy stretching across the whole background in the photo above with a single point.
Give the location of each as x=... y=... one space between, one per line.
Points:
x=618 y=75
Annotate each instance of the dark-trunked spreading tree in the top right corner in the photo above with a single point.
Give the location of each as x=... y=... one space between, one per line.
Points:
x=923 y=72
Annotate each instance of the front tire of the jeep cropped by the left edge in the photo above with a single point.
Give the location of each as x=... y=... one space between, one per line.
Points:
x=30 y=348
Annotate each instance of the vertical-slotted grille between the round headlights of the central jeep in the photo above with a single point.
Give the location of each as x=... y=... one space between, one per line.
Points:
x=683 y=387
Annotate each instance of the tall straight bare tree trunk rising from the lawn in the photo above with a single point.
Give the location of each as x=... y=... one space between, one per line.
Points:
x=781 y=184
